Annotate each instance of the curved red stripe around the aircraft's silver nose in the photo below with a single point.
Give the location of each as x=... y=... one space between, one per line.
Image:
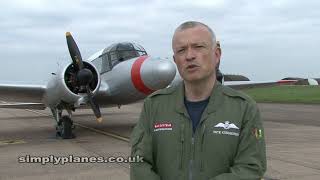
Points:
x=136 y=76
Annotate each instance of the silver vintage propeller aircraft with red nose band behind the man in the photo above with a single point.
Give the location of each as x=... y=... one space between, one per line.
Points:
x=120 y=74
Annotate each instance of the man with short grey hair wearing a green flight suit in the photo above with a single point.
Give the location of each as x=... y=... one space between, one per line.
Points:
x=201 y=129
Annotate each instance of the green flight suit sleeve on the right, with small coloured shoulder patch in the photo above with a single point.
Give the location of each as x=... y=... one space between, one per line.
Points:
x=250 y=161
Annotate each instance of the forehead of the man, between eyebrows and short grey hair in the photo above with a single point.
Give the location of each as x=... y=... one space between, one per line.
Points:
x=196 y=34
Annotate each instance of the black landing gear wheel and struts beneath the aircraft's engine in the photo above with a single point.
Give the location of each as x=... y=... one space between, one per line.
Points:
x=64 y=125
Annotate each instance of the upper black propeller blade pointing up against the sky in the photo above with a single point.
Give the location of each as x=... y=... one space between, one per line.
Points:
x=74 y=51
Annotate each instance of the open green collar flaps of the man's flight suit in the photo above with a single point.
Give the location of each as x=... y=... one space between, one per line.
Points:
x=216 y=99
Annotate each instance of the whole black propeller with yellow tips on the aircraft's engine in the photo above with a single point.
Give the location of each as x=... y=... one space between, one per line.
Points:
x=84 y=76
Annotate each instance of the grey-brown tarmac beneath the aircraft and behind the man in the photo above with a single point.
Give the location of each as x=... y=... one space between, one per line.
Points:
x=292 y=137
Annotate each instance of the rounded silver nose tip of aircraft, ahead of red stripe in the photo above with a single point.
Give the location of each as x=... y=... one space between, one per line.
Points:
x=158 y=73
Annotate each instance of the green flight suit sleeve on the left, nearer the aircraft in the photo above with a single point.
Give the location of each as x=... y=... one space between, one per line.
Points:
x=141 y=145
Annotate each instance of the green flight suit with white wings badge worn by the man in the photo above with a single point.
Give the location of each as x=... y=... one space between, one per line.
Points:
x=228 y=143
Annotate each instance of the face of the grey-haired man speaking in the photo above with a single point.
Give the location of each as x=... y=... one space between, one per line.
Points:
x=195 y=54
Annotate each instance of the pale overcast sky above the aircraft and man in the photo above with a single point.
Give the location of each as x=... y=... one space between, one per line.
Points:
x=263 y=40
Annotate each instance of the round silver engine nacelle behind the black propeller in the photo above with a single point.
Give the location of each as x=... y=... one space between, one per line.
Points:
x=63 y=86
